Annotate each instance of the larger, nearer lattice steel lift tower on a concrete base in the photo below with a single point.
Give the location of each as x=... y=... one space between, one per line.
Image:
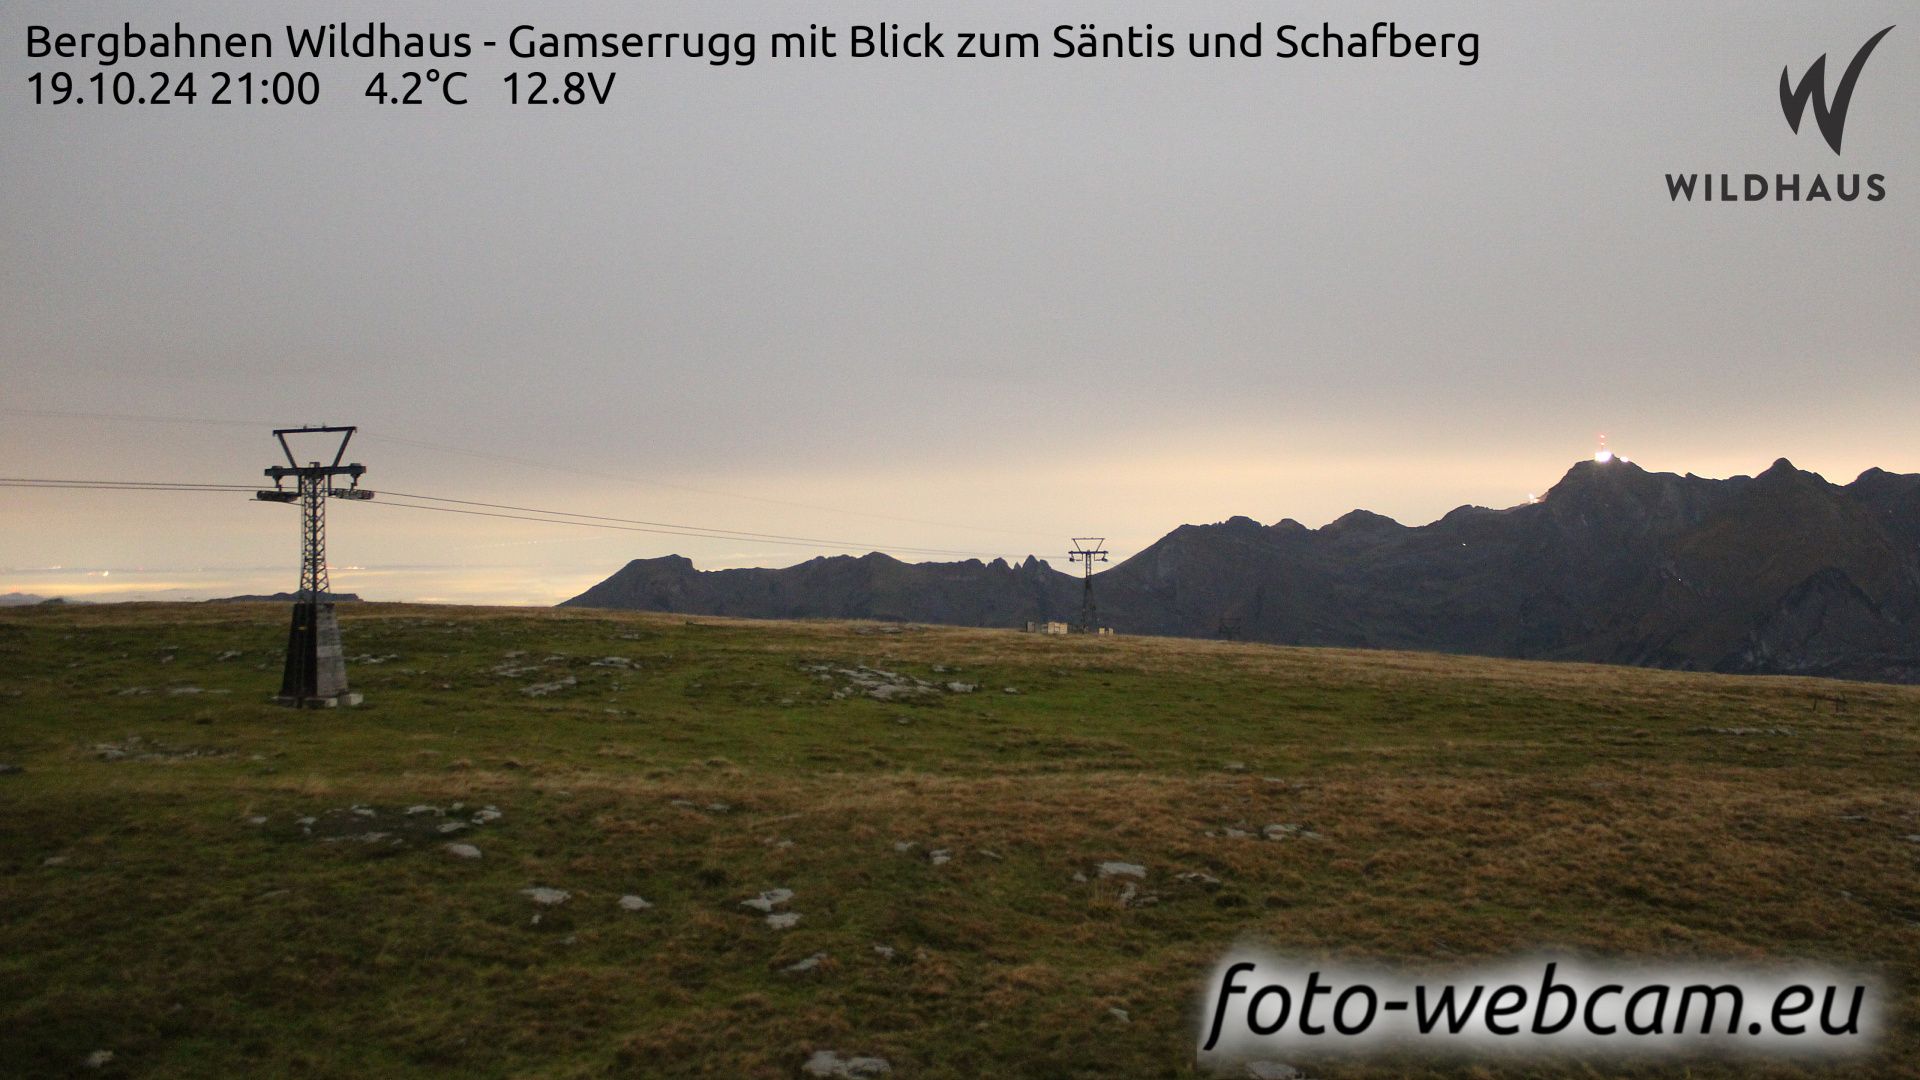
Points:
x=316 y=666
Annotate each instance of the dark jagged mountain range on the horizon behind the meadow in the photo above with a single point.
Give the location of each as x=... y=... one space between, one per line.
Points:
x=1773 y=574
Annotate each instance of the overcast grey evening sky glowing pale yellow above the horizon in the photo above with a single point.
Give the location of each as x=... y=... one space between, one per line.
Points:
x=974 y=307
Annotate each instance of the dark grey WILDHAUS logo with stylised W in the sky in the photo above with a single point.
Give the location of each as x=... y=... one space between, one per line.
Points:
x=1829 y=114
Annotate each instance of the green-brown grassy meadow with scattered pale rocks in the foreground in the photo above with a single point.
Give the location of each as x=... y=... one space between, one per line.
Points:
x=1468 y=810
